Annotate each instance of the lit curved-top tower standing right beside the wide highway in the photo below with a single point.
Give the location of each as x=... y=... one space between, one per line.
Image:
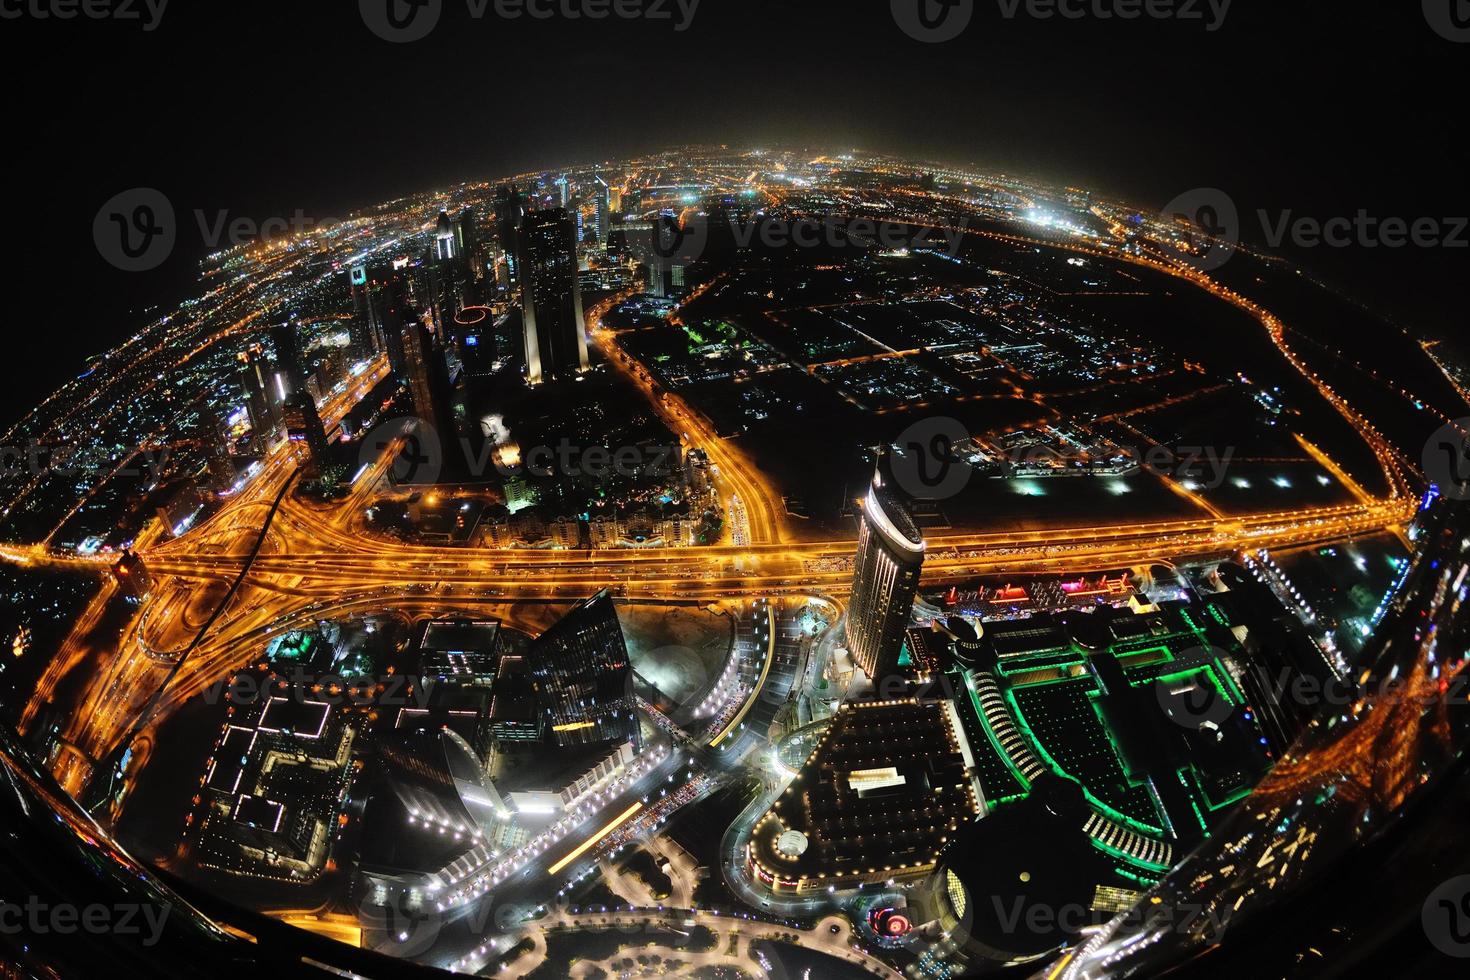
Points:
x=886 y=580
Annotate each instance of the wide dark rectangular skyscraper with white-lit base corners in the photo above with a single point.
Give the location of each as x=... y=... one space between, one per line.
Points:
x=552 y=299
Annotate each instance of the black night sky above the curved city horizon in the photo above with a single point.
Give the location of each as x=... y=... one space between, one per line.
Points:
x=264 y=108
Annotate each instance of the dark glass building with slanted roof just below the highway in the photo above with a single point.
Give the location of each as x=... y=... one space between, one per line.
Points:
x=584 y=677
